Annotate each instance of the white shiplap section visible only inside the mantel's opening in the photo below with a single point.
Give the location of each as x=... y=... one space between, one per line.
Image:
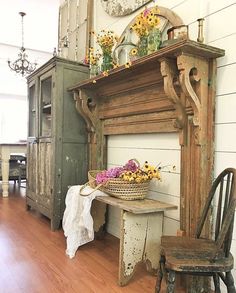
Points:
x=155 y=148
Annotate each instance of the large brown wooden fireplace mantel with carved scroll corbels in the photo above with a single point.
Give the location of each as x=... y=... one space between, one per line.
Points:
x=171 y=90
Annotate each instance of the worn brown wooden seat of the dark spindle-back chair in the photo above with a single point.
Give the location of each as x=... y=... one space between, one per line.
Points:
x=194 y=255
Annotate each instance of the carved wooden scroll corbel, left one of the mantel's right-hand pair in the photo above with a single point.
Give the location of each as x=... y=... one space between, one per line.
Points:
x=169 y=73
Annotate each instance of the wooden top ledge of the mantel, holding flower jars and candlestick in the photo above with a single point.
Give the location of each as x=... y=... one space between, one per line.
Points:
x=188 y=47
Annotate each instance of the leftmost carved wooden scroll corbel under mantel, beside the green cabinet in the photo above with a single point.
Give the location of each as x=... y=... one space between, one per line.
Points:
x=83 y=109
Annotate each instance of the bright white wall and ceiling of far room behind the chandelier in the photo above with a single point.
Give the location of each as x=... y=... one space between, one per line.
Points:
x=40 y=38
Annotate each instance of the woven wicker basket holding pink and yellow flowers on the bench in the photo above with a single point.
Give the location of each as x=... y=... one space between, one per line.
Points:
x=119 y=188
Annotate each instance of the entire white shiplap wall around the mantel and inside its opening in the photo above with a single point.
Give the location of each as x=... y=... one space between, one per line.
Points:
x=219 y=31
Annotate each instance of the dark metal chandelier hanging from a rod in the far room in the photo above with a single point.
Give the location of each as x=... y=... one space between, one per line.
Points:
x=22 y=65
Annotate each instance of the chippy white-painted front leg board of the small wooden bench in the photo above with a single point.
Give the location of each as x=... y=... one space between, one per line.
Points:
x=140 y=242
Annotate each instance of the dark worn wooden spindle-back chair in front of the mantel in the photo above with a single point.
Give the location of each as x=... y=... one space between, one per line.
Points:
x=199 y=256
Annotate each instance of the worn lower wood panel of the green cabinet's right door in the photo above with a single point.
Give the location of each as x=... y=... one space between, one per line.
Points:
x=45 y=174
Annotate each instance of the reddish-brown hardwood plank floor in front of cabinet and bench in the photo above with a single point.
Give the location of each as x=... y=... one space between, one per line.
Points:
x=32 y=258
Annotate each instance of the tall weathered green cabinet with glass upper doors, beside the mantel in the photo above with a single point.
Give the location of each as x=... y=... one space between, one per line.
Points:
x=57 y=138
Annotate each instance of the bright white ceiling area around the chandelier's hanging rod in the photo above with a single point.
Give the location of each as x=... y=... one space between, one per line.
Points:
x=40 y=23
